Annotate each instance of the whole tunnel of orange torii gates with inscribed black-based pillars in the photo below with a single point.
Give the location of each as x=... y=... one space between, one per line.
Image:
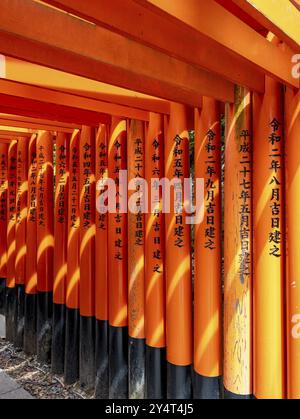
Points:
x=146 y=305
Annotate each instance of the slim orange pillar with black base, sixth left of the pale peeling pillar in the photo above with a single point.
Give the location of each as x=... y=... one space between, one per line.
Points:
x=101 y=272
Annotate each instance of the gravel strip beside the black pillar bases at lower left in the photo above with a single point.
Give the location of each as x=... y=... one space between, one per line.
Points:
x=35 y=377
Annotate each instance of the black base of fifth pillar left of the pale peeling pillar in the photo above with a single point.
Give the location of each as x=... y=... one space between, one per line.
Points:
x=118 y=362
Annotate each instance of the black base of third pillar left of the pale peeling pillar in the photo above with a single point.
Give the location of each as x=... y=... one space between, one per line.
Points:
x=156 y=373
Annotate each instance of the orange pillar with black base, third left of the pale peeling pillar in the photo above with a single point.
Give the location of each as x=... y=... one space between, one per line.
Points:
x=154 y=266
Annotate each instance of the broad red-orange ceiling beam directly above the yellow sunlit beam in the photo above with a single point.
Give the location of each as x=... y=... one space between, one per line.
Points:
x=34 y=32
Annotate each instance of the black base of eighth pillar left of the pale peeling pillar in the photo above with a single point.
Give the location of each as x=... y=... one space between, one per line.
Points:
x=72 y=346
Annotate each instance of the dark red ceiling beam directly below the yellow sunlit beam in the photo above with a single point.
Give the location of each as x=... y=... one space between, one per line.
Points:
x=58 y=106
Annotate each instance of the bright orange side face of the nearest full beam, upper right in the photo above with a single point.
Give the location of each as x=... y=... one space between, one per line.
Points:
x=213 y=21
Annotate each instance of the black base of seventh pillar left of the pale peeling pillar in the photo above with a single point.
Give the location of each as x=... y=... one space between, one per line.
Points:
x=87 y=372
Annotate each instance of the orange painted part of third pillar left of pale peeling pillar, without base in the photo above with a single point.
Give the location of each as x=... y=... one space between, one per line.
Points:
x=155 y=311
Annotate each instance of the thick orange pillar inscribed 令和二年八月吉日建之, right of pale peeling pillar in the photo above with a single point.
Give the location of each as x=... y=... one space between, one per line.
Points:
x=269 y=238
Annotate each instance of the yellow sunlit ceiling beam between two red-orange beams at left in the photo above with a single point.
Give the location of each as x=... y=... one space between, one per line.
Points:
x=25 y=72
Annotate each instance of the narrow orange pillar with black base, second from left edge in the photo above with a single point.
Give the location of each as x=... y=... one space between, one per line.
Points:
x=11 y=242
